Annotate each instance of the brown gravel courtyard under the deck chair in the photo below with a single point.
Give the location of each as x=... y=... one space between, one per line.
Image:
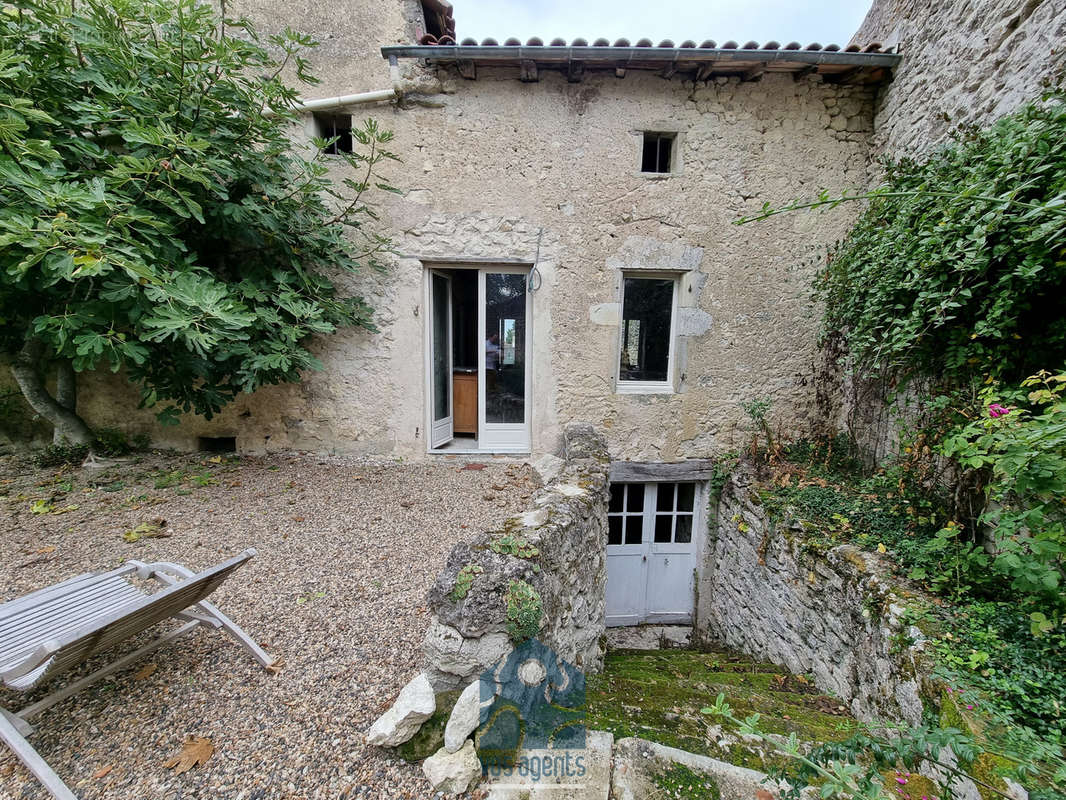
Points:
x=347 y=552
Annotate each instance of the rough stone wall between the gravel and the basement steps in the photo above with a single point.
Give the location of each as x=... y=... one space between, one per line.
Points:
x=556 y=548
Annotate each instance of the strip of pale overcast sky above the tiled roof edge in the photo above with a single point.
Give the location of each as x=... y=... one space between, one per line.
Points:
x=825 y=22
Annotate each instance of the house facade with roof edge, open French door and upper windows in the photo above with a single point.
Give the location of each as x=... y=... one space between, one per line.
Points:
x=521 y=163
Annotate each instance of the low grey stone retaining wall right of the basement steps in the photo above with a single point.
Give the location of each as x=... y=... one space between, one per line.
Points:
x=832 y=614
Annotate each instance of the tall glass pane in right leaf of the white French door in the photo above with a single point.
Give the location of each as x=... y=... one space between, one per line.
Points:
x=505 y=348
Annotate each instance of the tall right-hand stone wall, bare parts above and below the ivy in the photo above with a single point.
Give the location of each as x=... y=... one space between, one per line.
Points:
x=965 y=63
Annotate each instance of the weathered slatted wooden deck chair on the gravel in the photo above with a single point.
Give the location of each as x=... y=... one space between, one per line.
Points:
x=58 y=629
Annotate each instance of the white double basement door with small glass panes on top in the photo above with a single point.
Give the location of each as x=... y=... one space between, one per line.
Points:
x=651 y=554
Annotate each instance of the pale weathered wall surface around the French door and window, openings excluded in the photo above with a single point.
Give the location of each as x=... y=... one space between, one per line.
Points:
x=489 y=165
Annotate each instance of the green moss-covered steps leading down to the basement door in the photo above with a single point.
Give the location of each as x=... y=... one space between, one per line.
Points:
x=658 y=696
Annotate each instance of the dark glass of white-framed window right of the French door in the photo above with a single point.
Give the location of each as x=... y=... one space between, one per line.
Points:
x=647 y=309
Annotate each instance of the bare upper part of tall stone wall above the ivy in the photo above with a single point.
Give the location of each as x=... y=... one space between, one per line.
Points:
x=965 y=62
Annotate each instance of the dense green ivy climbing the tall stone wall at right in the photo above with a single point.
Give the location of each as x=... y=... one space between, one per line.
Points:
x=959 y=265
